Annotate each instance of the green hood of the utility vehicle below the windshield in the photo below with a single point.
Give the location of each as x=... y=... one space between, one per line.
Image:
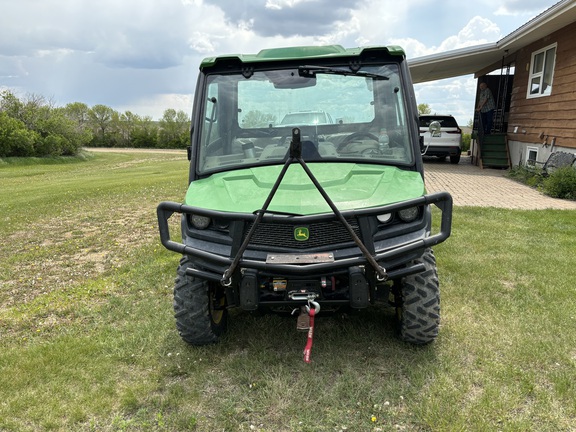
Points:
x=349 y=186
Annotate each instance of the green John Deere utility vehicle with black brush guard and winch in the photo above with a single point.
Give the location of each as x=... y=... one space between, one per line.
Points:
x=329 y=214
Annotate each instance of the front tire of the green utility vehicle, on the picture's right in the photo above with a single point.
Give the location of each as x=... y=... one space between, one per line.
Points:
x=419 y=305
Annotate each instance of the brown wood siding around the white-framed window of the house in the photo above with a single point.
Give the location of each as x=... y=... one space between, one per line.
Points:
x=554 y=115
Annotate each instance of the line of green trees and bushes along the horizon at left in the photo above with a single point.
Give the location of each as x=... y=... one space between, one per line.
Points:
x=34 y=126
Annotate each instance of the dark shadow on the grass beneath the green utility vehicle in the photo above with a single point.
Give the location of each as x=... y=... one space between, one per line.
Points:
x=351 y=339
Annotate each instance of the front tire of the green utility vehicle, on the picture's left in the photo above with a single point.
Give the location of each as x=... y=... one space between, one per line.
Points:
x=199 y=307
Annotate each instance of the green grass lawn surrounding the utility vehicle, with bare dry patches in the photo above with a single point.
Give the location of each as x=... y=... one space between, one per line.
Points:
x=88 y=341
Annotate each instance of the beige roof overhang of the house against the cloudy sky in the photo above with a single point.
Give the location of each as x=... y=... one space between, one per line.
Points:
x=482 y=59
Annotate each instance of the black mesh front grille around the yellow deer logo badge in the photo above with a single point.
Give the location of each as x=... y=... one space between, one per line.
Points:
x=321 y=235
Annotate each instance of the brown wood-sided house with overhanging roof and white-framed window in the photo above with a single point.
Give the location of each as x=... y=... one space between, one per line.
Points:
x=532 y=74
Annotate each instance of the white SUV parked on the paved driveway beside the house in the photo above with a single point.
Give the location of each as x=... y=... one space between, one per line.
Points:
x=442 y=141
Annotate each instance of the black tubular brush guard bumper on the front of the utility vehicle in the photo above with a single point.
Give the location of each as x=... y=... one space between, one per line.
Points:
x=215 y=260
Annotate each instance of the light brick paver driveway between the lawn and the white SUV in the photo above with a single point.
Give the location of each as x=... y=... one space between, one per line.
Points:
x=472 y=186
